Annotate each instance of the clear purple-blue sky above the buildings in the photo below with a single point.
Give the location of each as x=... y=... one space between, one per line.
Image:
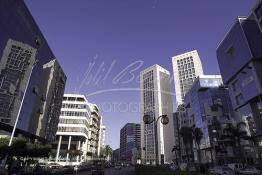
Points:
x=103 y=45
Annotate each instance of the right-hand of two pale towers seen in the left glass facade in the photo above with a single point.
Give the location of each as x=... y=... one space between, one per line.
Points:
x=47 y=109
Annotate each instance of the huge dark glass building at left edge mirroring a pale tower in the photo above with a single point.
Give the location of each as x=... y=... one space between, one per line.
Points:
x=23 y=54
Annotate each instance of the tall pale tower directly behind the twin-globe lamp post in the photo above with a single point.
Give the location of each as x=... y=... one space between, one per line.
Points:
x=156 y=100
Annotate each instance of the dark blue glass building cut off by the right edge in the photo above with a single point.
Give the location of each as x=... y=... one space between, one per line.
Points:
x=239 y=57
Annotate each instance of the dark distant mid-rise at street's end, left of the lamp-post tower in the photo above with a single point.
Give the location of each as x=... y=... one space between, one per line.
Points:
x=129 y=141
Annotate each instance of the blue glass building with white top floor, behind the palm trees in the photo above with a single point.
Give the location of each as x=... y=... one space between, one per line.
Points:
x=207 y=101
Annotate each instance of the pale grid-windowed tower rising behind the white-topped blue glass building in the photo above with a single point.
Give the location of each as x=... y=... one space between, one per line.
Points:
x=187 y=67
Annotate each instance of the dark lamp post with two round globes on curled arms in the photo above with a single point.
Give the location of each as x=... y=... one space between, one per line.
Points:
x=148 y=120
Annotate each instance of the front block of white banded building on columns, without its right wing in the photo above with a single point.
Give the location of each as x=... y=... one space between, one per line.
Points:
x=73 y=130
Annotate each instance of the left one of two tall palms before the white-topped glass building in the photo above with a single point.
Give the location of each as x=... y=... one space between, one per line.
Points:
x=187 y=136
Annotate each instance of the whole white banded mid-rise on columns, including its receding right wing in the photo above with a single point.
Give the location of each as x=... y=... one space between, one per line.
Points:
x=78 y=130
